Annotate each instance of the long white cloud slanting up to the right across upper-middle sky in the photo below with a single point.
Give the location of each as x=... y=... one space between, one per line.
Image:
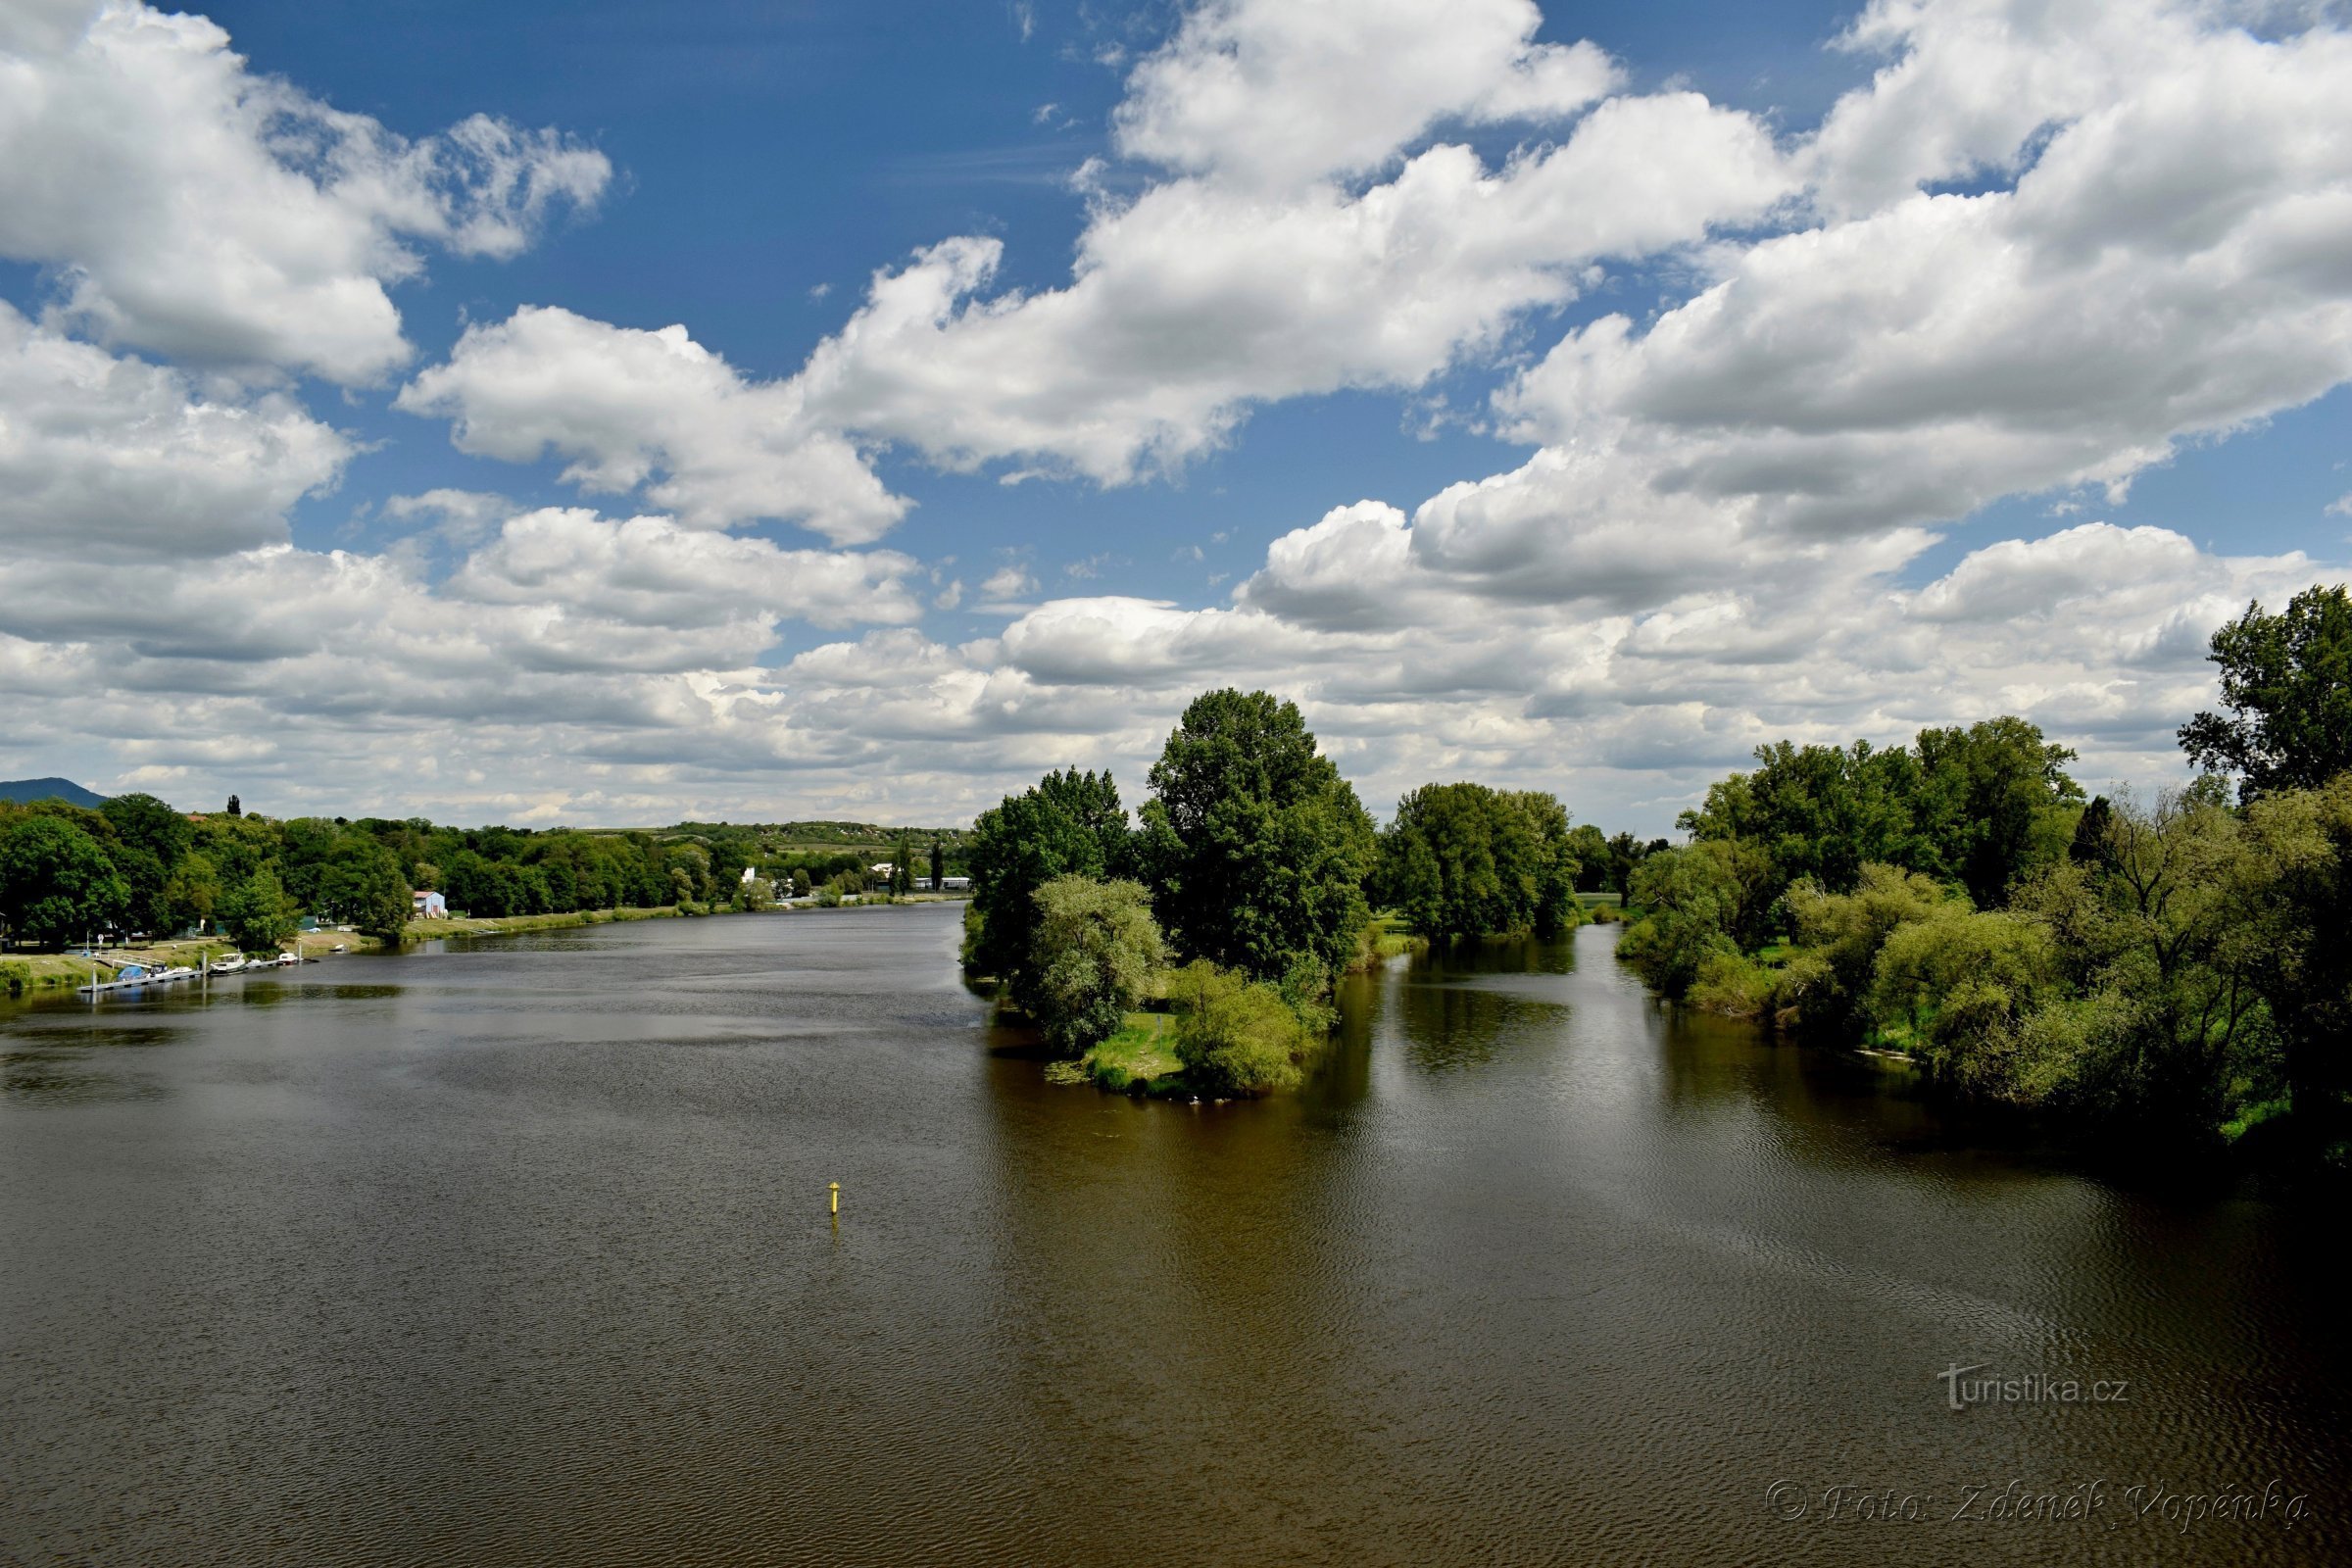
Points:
x=1203 y=297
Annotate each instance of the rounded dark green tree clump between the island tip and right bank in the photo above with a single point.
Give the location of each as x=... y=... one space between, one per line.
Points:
x=1469 y=862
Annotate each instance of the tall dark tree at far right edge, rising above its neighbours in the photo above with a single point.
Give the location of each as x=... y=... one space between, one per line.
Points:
x=2287 y=683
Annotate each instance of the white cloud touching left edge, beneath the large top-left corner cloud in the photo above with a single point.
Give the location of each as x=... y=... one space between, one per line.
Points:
x=112 y=455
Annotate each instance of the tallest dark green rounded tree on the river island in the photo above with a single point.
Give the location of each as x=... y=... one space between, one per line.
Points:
x=1257 y=847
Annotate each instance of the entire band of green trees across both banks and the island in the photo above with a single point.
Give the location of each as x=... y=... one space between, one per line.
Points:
x=2177 y=967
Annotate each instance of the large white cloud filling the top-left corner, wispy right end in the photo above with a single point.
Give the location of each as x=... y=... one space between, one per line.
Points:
x=208 y=213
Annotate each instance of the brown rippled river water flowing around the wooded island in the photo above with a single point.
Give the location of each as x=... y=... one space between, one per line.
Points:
x=519 y=1254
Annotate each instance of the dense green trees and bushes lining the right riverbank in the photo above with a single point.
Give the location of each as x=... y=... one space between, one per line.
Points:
x=2177 y=963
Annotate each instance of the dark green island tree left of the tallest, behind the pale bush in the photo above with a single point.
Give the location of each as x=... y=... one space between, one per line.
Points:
x=1067 y=824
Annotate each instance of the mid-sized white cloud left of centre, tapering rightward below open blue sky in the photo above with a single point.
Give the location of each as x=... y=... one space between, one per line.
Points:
x=657 y=413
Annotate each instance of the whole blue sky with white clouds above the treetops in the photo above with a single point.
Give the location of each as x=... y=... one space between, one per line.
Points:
x=620 y=415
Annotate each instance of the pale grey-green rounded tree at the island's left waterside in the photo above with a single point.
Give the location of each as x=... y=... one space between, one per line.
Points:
x=1097 y=949
